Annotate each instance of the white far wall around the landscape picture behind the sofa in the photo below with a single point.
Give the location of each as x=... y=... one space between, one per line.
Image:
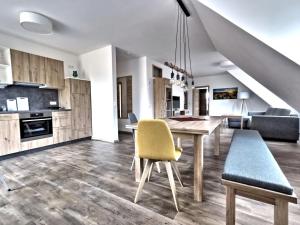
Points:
x=229 y=106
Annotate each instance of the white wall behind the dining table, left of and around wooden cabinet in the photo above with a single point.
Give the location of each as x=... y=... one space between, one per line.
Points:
x=142 y=86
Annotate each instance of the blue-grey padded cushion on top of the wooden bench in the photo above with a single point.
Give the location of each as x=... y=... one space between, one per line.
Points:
x=249 y=161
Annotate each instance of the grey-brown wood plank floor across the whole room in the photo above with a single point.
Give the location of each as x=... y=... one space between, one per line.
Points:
x=90 y=183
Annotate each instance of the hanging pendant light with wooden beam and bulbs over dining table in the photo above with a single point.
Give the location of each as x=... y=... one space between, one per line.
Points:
x=182 y=48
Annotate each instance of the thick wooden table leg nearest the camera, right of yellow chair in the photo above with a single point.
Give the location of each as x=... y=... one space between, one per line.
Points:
x=198 y=168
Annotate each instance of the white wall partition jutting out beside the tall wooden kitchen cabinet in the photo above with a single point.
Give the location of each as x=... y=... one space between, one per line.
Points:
x=99 y=66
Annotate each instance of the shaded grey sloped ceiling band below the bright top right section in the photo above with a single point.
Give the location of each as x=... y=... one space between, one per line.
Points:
x=270 y=68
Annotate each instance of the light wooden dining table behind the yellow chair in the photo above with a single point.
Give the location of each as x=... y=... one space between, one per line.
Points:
x=188 y=127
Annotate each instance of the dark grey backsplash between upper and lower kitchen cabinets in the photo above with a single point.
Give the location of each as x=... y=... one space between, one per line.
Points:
x=38 y=97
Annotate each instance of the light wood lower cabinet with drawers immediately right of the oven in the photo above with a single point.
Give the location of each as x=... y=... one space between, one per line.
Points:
x=62 y=126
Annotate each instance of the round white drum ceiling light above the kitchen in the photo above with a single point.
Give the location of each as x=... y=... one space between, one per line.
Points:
x=35 y=22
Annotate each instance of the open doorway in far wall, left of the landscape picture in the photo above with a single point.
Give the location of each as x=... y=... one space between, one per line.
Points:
x=201 y=101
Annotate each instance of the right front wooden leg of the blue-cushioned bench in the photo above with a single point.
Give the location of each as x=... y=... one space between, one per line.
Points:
x=281 y=212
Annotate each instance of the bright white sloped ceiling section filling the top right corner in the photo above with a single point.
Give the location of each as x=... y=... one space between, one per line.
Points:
x=276 y=23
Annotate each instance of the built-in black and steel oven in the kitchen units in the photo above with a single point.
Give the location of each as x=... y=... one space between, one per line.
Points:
x=35 y=125
